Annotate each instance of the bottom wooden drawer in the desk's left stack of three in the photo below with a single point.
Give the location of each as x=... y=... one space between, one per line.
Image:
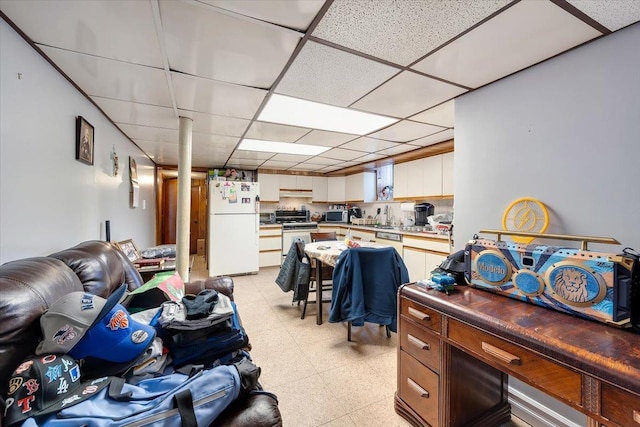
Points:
x=419 y=388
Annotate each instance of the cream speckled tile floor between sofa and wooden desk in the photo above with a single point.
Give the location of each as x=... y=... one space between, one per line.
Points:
x=320 y=378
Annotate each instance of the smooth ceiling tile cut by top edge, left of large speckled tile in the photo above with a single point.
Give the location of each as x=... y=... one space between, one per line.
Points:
x=296 y=14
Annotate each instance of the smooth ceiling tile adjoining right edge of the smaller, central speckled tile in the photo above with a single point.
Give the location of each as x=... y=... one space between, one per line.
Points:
x=406 y=94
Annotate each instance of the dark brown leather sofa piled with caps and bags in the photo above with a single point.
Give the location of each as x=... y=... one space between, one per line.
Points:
x=29 y=286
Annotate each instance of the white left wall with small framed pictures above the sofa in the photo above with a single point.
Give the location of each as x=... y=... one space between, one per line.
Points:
x=48 y=200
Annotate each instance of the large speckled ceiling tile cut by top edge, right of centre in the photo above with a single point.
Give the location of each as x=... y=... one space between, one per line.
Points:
x=400 y=31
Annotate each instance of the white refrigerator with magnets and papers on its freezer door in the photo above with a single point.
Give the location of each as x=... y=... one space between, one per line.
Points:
x=234 y=227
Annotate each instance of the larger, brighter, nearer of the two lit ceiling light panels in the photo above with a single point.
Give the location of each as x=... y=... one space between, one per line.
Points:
x=299 y=112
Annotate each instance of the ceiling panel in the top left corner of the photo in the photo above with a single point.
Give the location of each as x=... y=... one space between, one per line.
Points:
x=88 y=27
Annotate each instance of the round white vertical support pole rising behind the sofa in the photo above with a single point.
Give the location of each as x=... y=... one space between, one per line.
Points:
x=183 y=218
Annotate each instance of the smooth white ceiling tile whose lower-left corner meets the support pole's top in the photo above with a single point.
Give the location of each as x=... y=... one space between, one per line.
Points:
x=214 y=97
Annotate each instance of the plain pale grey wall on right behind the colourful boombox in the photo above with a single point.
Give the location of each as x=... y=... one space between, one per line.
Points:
x=566 y=132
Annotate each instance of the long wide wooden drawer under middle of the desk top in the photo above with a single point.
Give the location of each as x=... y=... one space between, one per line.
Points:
x=525 y=365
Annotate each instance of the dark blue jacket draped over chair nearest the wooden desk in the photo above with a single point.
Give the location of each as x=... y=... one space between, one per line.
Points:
x=365 y=286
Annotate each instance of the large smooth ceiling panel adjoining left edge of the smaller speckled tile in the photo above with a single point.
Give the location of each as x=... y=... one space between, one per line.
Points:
x=201 y=41
